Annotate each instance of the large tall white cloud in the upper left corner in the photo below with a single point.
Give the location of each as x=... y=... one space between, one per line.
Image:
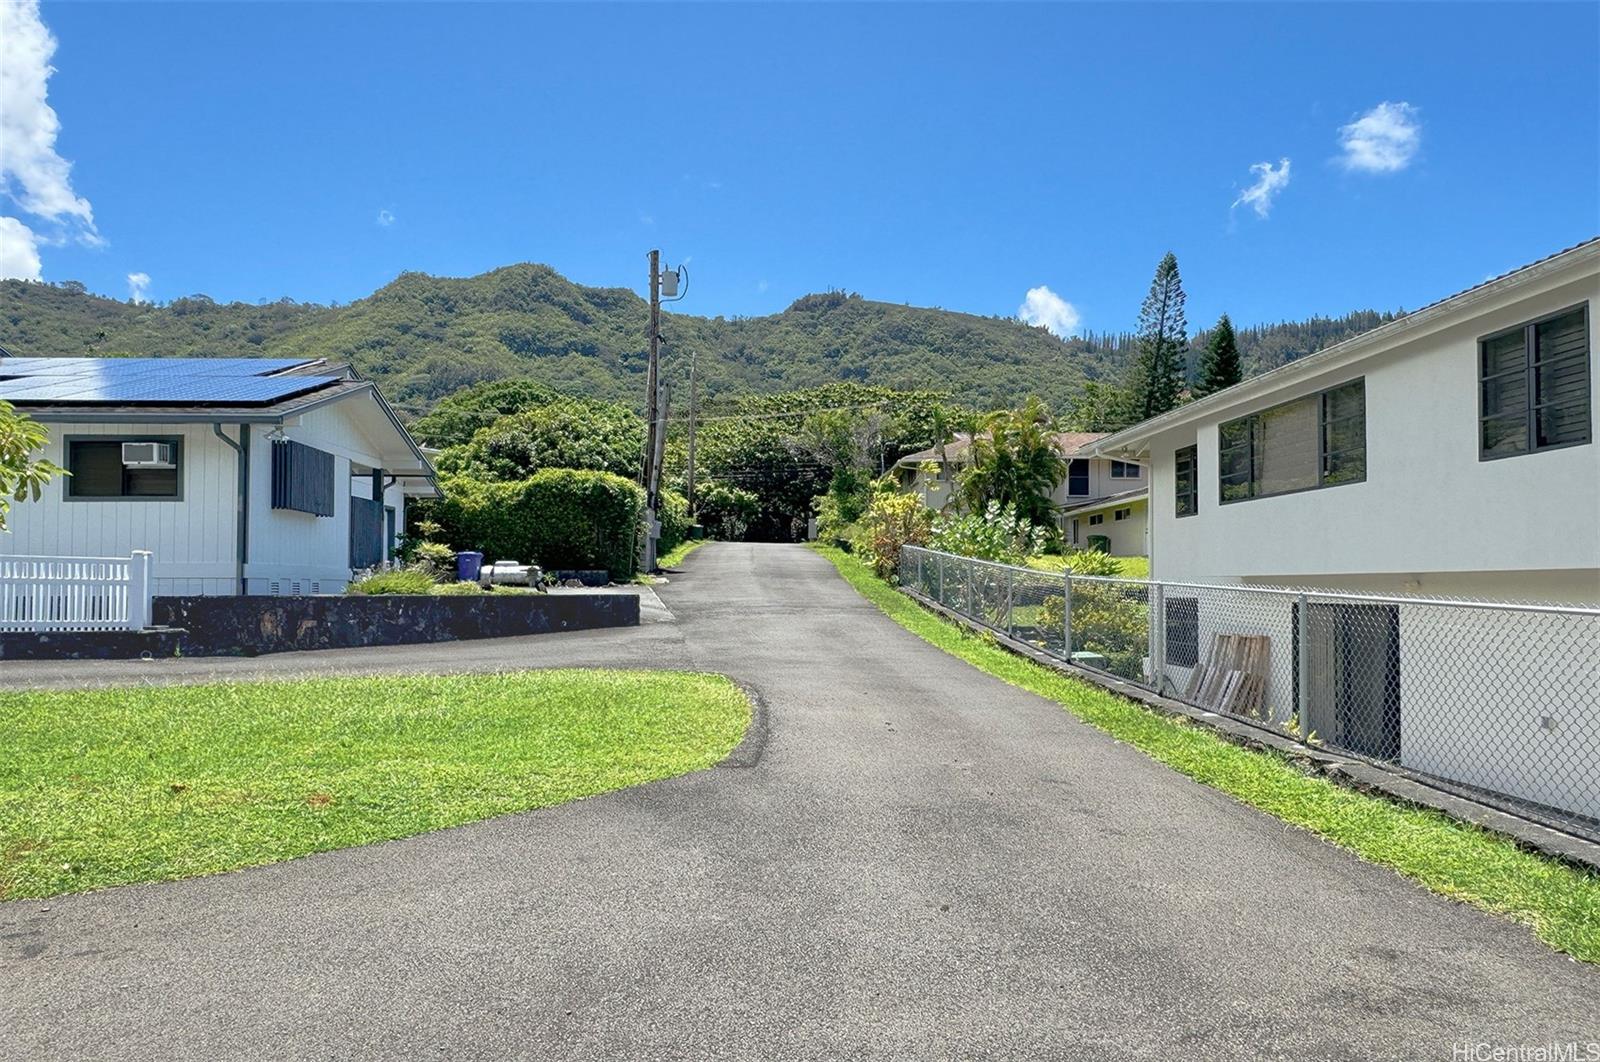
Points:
x=33 y=175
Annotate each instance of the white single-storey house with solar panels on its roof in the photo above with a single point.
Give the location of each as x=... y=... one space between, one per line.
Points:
x=239 y=476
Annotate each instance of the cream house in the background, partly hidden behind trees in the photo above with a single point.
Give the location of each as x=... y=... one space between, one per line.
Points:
x=1102 y=501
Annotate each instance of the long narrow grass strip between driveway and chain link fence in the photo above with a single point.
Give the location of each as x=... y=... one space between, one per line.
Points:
x=1562 y=904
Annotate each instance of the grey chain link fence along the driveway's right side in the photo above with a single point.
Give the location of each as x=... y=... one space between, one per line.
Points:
x=1495 y=700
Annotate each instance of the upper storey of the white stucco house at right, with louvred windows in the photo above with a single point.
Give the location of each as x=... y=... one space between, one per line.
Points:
x=1449 y=453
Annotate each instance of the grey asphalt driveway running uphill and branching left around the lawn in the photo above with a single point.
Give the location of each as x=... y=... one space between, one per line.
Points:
x=921 y=863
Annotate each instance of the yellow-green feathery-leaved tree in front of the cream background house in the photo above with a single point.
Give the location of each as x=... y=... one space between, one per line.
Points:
x=1015 y=465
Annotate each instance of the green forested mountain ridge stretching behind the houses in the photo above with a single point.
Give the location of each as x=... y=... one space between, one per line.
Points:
x=428 y=337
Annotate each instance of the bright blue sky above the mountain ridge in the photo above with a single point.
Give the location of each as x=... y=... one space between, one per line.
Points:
x=942 y=156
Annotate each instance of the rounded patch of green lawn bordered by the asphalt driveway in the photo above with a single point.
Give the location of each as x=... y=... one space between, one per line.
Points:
x=148 y=785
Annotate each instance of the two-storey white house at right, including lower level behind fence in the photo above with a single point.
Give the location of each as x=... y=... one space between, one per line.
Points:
x=1449 y=453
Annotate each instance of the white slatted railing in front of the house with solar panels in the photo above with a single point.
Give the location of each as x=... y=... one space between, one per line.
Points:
x=76 y=593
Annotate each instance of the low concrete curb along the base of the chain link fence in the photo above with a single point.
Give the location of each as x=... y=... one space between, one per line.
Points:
x=1350 y=772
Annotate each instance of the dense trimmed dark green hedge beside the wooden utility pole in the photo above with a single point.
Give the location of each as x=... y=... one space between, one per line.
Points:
x=556 y=519
